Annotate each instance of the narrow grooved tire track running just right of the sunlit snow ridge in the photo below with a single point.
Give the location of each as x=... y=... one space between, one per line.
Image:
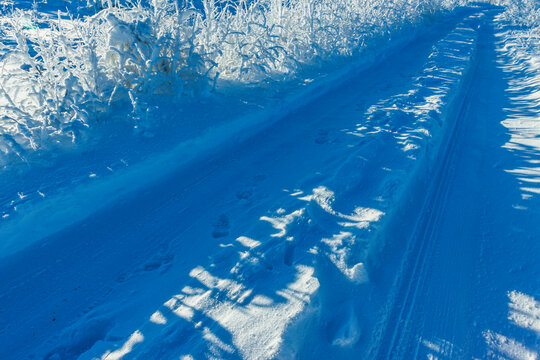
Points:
x=412 y=274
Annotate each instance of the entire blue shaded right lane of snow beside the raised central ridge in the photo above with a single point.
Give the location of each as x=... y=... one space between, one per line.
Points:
x=458 y=283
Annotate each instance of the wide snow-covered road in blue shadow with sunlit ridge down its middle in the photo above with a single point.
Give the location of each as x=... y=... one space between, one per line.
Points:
x=394 y=217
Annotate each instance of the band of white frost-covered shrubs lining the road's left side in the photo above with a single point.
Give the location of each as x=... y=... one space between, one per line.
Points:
x=61 y=74
